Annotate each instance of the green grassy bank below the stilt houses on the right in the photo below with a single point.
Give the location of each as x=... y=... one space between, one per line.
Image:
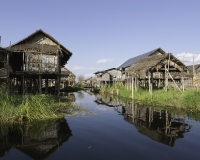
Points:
x=189 y=99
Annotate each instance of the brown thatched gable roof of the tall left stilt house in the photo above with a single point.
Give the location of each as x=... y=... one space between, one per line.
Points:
x=25 y=46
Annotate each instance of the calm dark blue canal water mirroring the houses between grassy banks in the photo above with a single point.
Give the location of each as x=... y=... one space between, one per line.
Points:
x=115 y=130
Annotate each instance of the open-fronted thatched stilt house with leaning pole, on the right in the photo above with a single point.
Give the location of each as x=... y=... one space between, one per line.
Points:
x=165 y=70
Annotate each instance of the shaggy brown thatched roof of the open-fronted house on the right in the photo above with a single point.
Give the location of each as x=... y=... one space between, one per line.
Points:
x=149 y=63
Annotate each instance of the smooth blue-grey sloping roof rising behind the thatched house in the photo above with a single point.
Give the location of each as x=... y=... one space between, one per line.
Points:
x=131 y=61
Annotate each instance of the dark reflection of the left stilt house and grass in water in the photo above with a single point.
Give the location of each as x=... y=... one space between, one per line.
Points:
x=38 y=140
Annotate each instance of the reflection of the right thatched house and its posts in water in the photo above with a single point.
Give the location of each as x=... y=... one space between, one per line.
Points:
x=159 y=125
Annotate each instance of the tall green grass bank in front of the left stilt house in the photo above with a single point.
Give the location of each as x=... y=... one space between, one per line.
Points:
x=16 y=108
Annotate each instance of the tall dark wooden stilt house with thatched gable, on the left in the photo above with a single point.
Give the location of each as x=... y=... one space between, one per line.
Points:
x=34 y=61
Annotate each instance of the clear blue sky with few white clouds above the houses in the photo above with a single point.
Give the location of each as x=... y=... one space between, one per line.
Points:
x=102 y=34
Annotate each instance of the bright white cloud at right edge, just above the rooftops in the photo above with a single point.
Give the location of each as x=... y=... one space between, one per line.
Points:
x=187 y=58
